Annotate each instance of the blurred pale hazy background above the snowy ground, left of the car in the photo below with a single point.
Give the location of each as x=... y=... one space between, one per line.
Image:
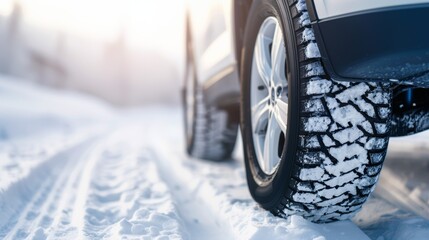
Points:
x=128 y=52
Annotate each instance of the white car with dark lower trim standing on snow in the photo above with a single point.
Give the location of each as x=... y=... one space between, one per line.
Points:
x=316 y=88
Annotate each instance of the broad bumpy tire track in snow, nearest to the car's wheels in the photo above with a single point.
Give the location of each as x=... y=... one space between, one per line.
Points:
x=126 y=197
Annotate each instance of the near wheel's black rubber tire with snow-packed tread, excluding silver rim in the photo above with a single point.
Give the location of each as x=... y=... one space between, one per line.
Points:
x=337 y=132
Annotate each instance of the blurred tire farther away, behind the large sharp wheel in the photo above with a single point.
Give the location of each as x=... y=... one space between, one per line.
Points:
x=210 y=131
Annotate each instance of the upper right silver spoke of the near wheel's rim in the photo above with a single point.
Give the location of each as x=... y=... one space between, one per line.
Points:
x=278 y=58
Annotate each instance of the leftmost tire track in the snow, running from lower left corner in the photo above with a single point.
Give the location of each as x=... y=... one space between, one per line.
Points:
x=44 y=188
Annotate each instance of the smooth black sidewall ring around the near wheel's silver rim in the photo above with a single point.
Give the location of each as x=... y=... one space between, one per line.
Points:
x=268 y=190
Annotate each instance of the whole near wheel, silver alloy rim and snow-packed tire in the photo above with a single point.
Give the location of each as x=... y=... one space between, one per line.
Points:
x=313 y=146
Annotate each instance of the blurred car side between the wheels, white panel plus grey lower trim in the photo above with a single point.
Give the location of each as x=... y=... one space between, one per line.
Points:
x=211 y=23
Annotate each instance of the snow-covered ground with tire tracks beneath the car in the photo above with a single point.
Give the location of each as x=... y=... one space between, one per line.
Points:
x=74 y=168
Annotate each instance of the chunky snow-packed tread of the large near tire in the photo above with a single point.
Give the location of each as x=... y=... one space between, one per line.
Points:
x=327 y=185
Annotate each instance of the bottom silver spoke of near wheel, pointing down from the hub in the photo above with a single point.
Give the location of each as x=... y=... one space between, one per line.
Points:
x=271 y=144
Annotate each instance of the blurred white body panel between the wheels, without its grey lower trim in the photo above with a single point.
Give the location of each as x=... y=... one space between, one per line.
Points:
x=211 y=24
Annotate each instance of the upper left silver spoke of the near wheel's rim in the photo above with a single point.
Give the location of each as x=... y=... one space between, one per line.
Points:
x=262 y=58
